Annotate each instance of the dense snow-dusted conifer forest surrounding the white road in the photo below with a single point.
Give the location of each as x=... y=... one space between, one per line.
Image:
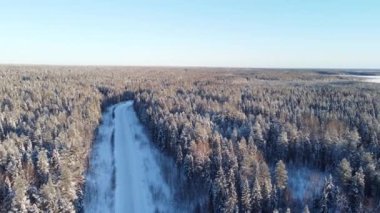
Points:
x=246 y=140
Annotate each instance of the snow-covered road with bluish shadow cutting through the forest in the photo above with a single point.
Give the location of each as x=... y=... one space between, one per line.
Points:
x=123 y=155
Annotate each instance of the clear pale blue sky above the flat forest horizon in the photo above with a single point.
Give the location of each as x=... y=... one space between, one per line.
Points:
x=265 y=33
